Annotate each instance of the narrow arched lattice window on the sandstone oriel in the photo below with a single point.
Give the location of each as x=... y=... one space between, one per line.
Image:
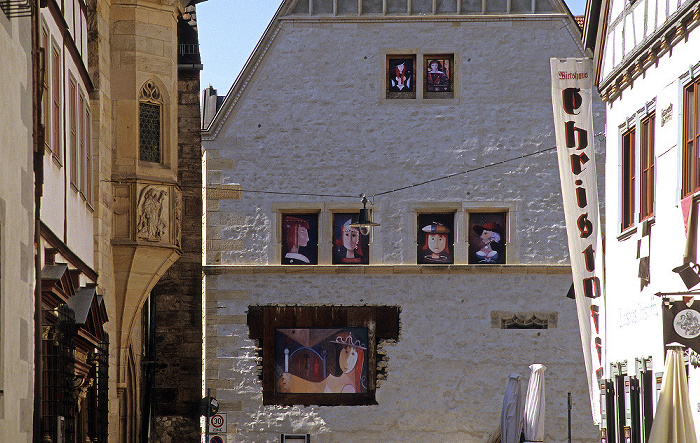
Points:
x=150 y=117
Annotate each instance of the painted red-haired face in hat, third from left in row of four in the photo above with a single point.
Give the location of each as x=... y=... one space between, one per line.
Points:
x=435 y=238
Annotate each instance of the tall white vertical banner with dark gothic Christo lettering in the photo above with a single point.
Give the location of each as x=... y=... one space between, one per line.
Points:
x=573 y=122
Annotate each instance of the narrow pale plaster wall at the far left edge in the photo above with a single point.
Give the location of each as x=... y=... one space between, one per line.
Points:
x=16 y=233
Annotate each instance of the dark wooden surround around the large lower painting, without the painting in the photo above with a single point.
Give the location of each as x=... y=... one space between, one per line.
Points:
x=382 y=323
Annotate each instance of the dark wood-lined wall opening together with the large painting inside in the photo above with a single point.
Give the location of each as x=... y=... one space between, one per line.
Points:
x=320 y=355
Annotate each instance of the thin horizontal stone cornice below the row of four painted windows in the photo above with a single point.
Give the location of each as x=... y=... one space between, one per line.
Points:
x=385 y=269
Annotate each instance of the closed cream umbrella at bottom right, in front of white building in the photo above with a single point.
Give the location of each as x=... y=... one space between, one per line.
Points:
x=673 y=422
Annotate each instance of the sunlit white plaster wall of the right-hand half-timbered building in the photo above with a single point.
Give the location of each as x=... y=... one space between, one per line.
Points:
x=634 y=325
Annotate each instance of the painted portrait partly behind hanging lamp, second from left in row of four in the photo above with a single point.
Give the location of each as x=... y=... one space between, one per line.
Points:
x=350 y=246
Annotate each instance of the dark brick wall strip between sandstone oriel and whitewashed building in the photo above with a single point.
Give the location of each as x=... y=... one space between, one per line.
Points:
x=178 y=387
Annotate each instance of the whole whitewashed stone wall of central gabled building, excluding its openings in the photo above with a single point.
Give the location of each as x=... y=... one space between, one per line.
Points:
x=309 y=116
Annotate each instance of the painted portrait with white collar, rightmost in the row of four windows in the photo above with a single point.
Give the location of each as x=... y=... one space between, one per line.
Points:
x=487 y=238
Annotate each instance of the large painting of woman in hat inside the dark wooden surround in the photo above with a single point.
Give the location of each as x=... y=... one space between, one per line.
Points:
x=316 y=360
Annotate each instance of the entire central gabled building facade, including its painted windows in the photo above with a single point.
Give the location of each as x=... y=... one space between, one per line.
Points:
x=323 y=112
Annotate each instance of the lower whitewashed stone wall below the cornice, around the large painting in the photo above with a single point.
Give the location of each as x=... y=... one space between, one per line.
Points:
x=447 y=372
